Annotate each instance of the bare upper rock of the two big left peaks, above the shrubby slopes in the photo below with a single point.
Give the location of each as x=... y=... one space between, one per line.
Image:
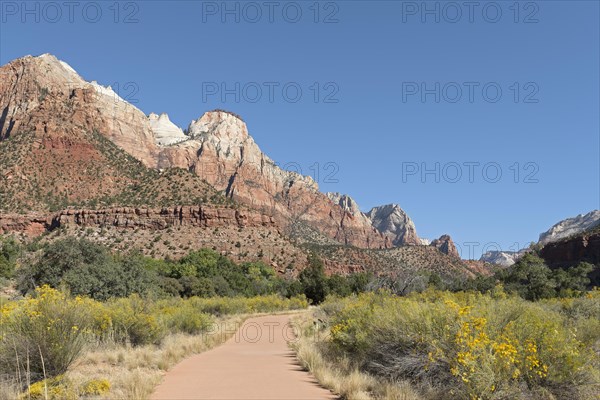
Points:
x=47 y=98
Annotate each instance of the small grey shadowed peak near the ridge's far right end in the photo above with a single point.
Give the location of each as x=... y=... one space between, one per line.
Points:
x=395 y=224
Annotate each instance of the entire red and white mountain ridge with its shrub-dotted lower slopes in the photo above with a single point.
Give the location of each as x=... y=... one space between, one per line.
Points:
x=77 y=158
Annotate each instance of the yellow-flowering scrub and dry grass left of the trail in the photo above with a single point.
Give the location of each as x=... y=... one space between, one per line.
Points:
x=50 y=334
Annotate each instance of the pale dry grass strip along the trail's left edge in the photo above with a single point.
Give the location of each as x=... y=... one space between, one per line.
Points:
x=134 y=372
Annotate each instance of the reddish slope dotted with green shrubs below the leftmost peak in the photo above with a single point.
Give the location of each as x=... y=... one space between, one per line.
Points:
x=89 y=171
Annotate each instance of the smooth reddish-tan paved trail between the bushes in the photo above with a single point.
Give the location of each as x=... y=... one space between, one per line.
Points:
x=255 y=364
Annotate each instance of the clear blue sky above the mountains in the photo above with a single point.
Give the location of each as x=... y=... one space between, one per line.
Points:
x=371 y=57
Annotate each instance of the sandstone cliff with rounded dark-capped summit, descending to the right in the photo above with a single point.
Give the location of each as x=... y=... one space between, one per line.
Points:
x=223 y=153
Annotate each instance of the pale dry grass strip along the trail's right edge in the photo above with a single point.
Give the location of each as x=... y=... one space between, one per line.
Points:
x=337 y=374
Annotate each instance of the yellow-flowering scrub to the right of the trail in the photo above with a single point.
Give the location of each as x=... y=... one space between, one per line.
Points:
x=470 y=345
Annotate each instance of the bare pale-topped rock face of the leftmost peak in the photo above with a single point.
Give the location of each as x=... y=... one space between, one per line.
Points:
x=47 y=97
